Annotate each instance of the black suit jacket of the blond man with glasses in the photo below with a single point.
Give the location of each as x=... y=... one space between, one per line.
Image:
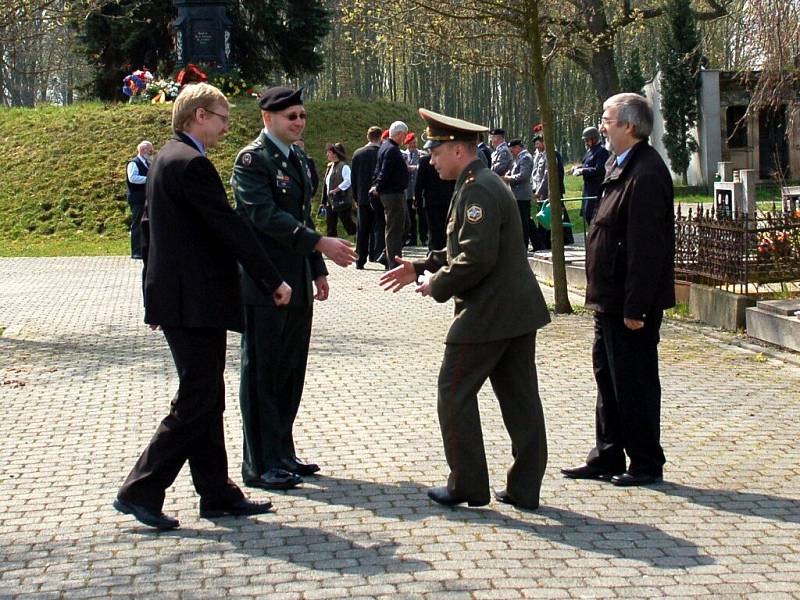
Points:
x=192 y=242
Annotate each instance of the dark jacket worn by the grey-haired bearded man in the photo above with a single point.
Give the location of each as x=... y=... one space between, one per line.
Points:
x=630 y=250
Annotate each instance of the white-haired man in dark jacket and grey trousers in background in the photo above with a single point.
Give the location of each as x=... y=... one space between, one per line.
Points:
x=390 y=183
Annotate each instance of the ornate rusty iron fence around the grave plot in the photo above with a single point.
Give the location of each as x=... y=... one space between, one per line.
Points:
x=737 y=251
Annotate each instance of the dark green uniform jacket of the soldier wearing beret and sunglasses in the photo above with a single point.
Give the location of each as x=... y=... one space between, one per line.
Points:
x=274 y=194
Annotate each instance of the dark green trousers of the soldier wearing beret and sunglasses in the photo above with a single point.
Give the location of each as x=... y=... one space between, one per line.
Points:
x=273 y=371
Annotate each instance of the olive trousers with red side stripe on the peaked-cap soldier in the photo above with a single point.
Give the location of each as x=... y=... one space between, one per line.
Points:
x=510 y=366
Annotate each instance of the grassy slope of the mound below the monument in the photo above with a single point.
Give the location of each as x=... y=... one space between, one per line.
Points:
x=62 y=180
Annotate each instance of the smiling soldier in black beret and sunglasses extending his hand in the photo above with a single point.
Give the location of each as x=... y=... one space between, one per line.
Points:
x=272 y=186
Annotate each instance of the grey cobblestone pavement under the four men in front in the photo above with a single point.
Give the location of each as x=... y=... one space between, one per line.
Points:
x=84 y=385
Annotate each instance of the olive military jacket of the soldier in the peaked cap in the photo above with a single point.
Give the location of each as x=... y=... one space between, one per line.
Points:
x=485 y=268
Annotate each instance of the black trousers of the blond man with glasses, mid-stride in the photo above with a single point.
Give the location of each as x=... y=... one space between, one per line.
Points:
x=193 y=430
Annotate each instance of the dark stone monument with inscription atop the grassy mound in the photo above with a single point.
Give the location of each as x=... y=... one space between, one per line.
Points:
x=202 y=33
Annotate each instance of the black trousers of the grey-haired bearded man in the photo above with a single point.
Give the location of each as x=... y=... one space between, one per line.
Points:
x=628 y=413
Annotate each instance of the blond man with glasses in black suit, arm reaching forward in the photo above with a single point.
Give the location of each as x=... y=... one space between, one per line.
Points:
x=192 y=241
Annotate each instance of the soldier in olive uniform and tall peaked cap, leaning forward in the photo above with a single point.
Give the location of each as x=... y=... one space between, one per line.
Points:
x=498 y=308
